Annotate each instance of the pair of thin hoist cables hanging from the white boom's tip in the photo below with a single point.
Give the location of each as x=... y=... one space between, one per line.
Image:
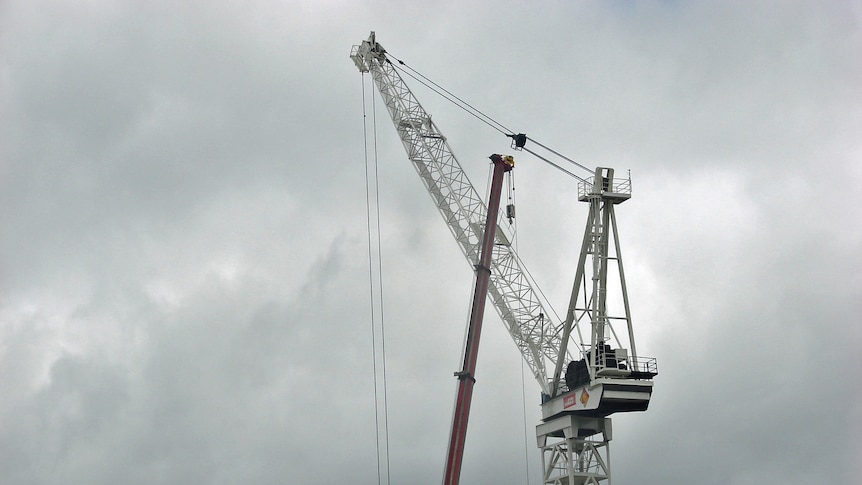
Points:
x=374 y=301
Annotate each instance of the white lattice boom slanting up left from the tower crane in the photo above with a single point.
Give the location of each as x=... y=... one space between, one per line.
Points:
x=525 y=314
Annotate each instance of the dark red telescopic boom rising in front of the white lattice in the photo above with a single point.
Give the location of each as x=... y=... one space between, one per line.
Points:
x=465 y=376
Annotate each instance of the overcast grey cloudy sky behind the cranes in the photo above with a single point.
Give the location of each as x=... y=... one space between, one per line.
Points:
x=184 y=289
